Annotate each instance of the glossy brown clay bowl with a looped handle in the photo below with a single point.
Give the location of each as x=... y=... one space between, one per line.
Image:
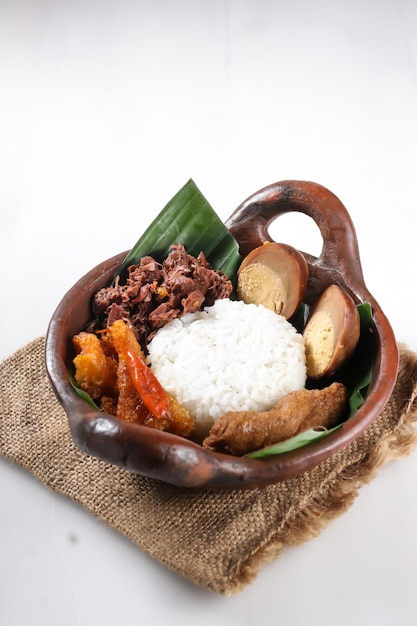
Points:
x=174 y=460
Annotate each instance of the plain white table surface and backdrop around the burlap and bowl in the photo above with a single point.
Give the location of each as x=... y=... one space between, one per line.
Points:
x=106 y=109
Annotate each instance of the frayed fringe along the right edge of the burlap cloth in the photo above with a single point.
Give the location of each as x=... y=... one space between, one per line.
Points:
x=336 y=499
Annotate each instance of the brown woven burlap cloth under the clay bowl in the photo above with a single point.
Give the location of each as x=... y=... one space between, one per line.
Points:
x=218 y=540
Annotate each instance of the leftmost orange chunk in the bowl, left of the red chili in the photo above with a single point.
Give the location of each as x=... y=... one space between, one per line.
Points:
x=95 y=373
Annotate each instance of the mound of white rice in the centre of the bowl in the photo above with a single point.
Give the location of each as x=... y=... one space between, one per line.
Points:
x=230 y=356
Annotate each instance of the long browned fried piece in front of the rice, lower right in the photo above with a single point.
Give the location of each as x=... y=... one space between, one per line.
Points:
x=241 y=432
